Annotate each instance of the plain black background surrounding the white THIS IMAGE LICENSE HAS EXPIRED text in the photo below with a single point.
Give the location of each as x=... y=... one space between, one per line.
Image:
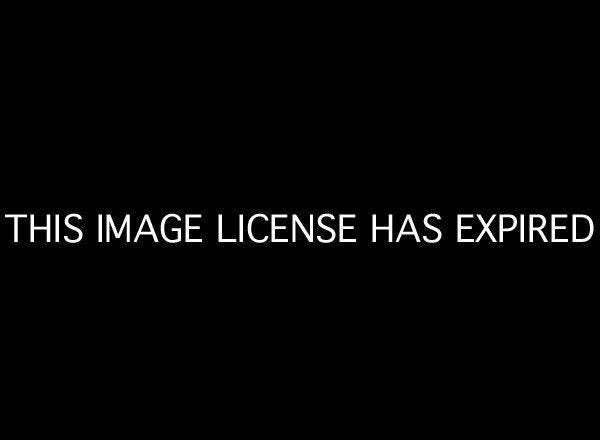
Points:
x=368 y=113
